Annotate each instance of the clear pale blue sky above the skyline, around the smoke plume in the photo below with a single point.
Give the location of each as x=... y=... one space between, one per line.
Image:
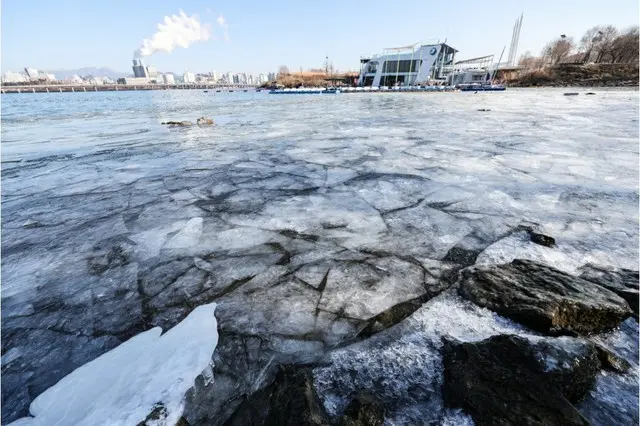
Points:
x=263 y=35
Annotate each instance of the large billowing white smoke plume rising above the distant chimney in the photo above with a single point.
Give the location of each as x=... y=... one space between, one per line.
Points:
x=176 y=31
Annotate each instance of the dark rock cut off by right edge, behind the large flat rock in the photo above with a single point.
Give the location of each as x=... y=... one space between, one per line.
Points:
x=624 y=282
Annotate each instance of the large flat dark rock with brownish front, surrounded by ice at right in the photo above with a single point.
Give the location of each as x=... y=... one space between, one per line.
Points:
x=543 y=298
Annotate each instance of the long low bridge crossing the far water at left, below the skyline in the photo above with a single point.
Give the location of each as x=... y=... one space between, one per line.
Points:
x=59 y=88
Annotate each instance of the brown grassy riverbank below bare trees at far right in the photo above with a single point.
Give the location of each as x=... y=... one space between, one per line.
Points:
x=591 y=75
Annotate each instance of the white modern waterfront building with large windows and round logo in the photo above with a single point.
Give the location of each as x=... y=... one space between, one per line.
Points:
x=407 y=66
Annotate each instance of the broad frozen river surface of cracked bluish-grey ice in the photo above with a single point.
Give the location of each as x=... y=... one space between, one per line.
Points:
x=113 y=223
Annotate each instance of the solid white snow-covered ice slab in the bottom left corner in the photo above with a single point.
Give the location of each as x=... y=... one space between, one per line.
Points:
x=123 y=385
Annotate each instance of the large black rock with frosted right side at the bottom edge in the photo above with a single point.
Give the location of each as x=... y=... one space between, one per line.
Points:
x=507 y=380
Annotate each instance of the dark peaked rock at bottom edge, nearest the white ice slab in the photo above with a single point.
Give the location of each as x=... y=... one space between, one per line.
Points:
x=290 y=400
